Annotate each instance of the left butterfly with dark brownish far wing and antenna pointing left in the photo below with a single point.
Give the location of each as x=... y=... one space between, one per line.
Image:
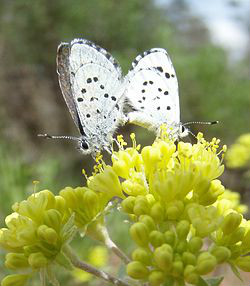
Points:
x=92 y=86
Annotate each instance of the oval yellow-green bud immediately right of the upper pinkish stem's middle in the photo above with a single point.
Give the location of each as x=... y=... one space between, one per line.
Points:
x=139 y=233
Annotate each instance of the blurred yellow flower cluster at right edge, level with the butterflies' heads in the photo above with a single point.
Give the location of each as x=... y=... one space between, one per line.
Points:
x=238 y=155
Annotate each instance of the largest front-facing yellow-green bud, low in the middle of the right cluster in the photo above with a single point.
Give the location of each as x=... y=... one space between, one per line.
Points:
x=163 y=256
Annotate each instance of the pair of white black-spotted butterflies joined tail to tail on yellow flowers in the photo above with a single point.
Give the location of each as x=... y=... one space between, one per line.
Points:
x=99 y=98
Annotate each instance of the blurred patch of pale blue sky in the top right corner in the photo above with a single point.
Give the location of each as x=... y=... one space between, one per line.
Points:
x=226 y=21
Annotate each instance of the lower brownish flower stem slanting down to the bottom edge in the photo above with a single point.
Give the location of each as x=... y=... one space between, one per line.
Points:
x=92 y=270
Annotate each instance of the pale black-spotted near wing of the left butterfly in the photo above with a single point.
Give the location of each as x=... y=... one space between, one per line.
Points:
x=97 y=89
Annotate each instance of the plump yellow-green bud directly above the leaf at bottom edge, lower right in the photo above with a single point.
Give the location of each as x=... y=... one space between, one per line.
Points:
x=206 y=263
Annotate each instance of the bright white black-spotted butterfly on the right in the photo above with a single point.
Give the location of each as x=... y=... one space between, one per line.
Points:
x=152 y=92
